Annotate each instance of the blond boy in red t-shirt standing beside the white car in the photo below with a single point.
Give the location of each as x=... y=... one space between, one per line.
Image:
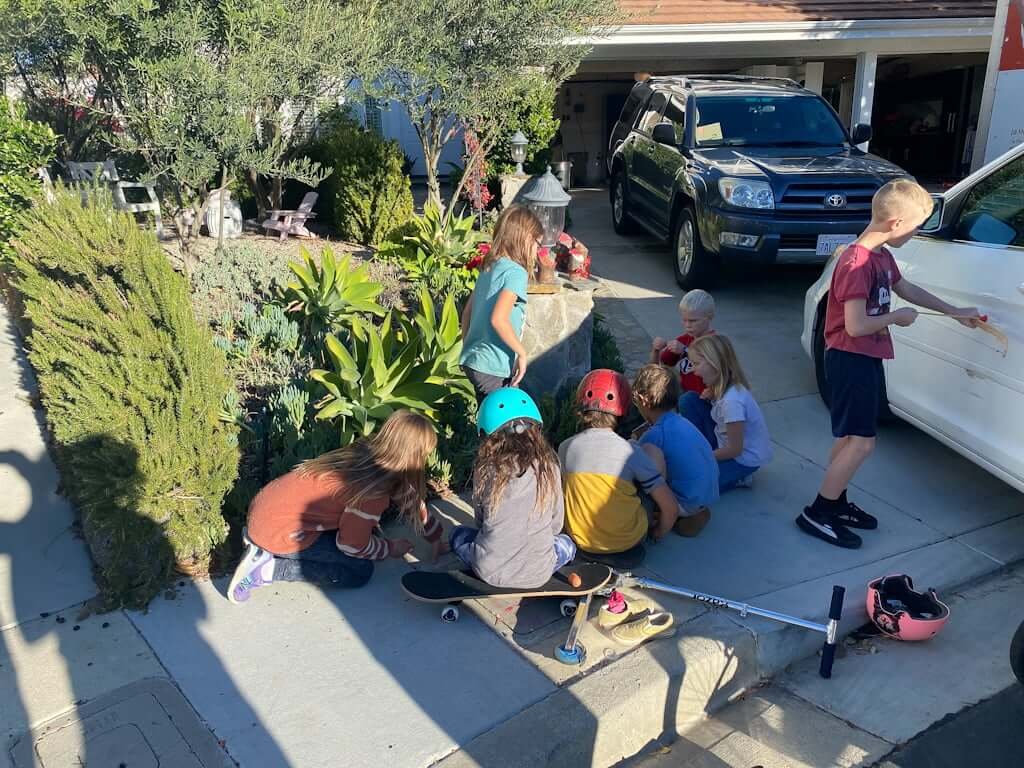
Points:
x=858 y=320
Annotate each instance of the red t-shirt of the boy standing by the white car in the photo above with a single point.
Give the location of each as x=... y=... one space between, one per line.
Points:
x=862 y=274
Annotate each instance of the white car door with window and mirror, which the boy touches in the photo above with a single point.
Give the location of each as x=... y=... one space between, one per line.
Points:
x=952 y=379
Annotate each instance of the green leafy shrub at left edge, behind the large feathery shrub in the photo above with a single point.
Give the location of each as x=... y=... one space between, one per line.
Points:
x=25 y=146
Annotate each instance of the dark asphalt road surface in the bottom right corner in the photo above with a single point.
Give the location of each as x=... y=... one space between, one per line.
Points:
x=990 y=735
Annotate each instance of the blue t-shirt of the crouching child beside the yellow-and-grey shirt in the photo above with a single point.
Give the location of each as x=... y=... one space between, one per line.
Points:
x=689 y=459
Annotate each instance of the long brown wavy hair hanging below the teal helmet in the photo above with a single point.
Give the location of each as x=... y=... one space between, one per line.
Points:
x=509 y=453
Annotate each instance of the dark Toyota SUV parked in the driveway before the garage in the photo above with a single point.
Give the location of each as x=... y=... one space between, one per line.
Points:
x=745 y=169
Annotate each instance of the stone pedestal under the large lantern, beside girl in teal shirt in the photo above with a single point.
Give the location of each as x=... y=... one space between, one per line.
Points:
x=558 y=335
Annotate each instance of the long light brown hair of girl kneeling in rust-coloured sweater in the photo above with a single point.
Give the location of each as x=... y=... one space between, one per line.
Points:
x=386 y=464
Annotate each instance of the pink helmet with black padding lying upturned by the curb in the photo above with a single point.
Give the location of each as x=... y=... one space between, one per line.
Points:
x=901 y=613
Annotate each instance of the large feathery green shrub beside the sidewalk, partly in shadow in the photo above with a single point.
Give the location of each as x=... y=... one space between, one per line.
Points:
x=133 y=387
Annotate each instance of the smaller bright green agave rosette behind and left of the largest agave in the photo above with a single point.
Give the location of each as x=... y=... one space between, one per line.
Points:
x=329 y=297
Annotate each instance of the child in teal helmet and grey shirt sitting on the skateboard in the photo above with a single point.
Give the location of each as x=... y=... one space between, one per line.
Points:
x=518 y=494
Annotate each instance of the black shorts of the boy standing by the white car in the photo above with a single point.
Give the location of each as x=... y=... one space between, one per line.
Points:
x=856 y=383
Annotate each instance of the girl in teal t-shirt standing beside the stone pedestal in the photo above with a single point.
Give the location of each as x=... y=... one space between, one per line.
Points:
x=493 y=356
